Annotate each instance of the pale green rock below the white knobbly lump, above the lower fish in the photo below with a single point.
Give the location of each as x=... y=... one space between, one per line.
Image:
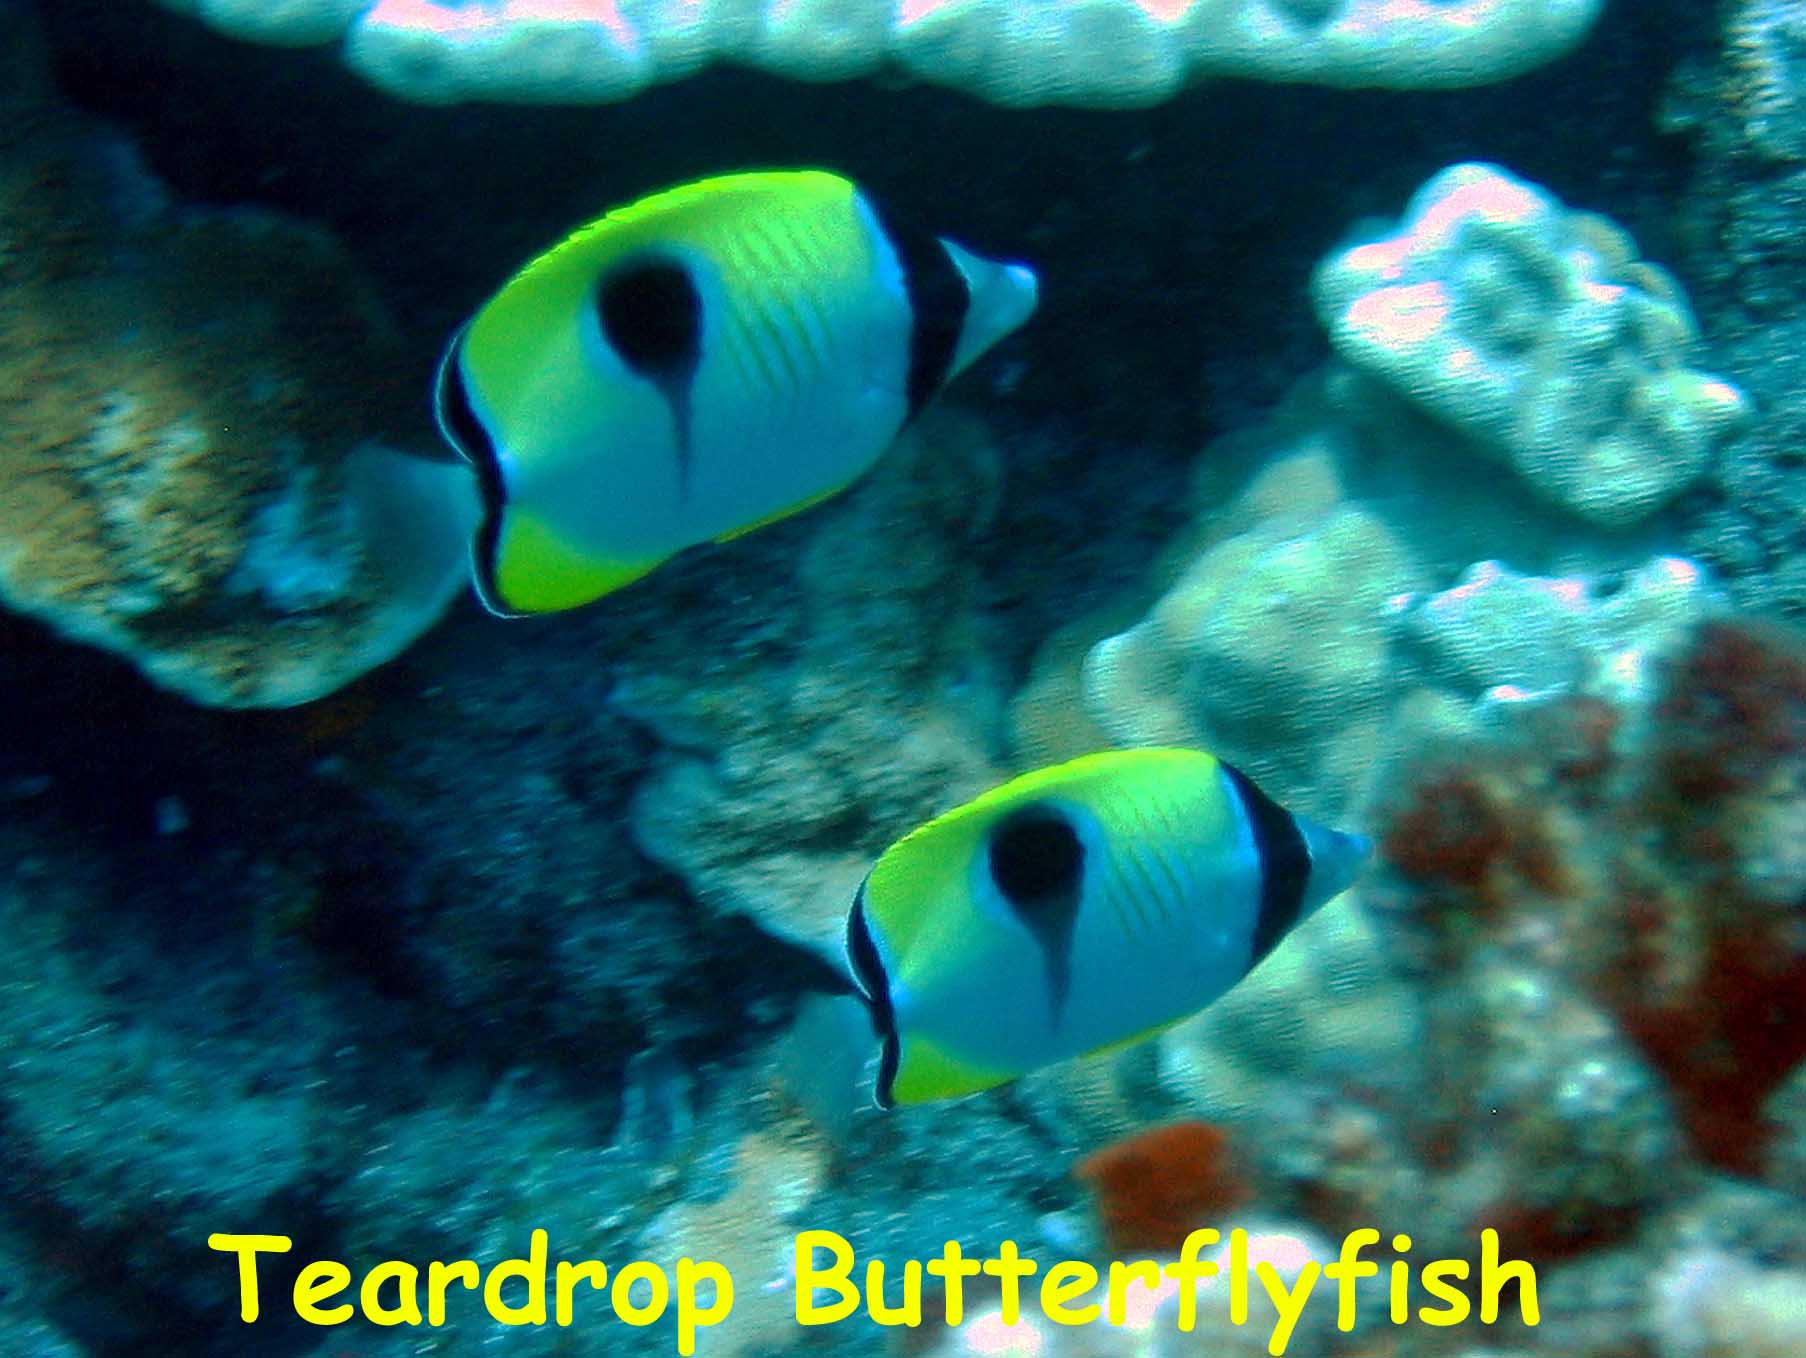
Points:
x=1323 y=615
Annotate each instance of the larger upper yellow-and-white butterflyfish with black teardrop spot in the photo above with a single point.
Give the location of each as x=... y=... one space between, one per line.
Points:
x=696 y=366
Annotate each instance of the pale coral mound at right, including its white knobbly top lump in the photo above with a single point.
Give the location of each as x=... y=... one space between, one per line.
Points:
x=1327 y=609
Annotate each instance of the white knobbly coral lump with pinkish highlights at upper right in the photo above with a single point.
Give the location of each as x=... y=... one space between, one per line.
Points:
x=1538 y=333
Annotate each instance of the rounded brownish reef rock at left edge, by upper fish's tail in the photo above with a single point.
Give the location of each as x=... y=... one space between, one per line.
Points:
x=191 y=440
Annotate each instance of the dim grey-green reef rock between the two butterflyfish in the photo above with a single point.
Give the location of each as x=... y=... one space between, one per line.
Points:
x=779 y=779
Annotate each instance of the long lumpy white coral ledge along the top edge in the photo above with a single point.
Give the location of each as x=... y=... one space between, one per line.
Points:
x=1010 y=51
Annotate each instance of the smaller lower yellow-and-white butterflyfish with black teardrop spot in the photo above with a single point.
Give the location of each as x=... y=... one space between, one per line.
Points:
x=1075 y=909
